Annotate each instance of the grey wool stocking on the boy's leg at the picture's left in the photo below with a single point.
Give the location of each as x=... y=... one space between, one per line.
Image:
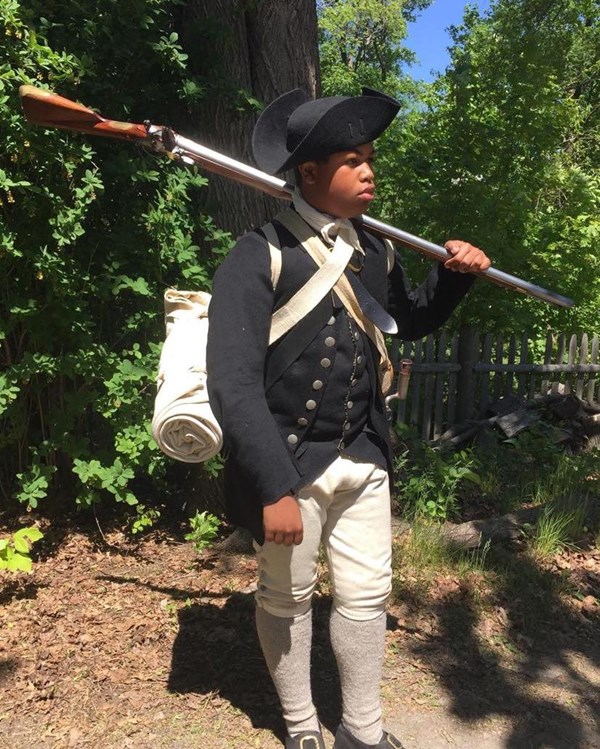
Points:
x=286 y=644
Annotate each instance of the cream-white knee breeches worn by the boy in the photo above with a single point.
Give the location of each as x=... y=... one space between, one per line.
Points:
x=347 y=511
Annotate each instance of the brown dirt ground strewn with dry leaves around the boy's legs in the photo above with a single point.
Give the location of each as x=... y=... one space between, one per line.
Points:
x=125 y=645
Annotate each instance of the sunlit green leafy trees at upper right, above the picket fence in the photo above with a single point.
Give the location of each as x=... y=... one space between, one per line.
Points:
x=503 y=151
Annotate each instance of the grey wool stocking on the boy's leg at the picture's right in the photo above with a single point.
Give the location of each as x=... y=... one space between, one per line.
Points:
x=359 y=649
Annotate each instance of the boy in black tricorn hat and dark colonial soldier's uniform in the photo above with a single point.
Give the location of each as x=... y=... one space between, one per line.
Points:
x=308 y=456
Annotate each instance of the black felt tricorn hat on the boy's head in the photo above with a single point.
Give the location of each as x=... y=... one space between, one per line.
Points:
x=295 y=128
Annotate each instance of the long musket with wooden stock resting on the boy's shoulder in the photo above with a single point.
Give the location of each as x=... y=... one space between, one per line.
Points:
x=43 y=107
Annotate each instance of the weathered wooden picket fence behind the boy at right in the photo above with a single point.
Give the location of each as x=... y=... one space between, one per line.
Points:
x=455 y=377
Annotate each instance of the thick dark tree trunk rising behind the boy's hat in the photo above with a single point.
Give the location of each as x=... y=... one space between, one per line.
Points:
x=245 y=51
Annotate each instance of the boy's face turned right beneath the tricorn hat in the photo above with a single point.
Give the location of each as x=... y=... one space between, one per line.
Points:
x=343 y=185
